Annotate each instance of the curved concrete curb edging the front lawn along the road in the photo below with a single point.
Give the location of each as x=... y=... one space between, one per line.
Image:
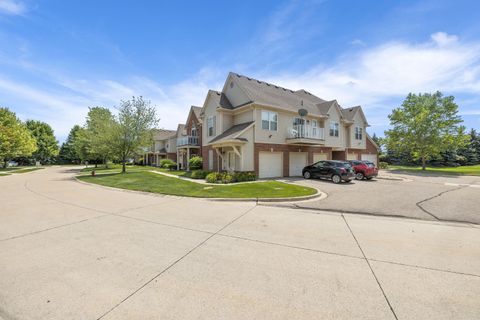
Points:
x=321 y=195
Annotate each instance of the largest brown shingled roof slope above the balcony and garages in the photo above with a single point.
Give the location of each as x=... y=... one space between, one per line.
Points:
x=272 y=95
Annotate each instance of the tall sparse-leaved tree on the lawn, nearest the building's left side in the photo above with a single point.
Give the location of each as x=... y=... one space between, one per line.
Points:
x=133 y=128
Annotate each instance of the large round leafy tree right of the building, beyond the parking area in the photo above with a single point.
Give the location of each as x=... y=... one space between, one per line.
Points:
x=424 y=126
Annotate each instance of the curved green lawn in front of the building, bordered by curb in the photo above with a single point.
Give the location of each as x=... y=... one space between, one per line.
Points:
x=156 y=183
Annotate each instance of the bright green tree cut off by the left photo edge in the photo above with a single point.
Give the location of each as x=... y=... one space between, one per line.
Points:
x=15 y=138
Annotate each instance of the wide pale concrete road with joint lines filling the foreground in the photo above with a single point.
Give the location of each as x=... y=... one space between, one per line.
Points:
x=74 y=251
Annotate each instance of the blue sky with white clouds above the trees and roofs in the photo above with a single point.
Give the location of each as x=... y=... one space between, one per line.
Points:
x=57 y=58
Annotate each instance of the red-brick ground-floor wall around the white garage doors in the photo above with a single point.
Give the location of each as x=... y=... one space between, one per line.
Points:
x=286 y=149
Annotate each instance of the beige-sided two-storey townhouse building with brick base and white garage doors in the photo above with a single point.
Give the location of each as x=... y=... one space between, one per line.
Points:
x=252 y=125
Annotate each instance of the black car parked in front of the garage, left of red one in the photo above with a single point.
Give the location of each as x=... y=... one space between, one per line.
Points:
x=337 y=171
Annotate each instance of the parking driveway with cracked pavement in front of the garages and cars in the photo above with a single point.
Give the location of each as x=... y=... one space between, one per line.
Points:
x=426 y=197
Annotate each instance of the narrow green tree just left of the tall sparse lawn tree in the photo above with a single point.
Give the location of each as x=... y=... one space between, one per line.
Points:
x=100 y=130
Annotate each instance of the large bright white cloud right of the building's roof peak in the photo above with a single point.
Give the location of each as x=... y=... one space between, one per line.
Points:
x=376 y=74
